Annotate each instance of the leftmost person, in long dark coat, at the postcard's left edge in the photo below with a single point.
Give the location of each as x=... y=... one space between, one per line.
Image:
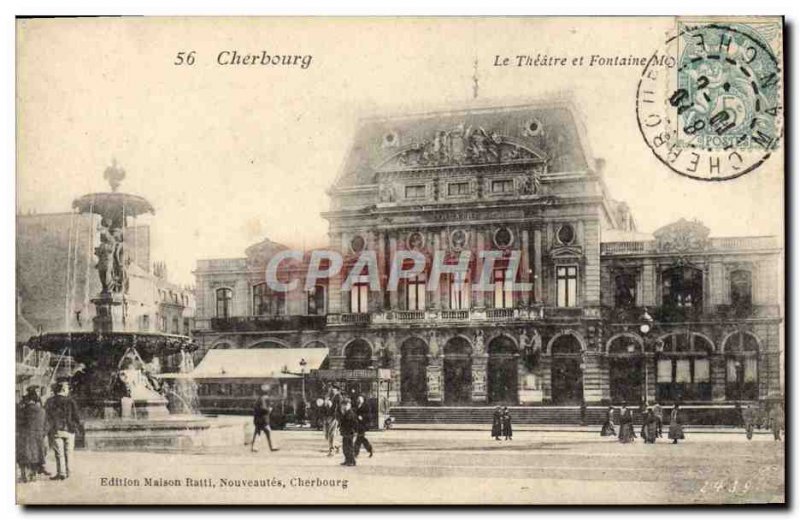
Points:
x=31 y=433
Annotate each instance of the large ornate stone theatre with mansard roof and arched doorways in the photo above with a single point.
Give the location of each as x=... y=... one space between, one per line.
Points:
x=611 y=314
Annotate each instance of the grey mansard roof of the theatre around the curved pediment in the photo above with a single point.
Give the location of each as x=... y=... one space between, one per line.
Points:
x=550 y=130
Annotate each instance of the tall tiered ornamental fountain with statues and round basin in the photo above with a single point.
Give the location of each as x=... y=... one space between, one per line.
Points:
x=124 y=376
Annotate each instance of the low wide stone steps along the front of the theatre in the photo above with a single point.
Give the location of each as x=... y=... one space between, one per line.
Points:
x=562 y=415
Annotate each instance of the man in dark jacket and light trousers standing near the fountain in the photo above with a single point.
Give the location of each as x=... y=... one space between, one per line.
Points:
x=63 y=422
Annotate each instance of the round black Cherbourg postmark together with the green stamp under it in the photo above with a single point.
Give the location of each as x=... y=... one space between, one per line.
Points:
x=709 y=106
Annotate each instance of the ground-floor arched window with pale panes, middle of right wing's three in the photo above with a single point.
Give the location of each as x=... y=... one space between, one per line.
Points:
x=683 y=368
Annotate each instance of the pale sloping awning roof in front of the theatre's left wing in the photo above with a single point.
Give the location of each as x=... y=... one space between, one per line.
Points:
x=258 y=363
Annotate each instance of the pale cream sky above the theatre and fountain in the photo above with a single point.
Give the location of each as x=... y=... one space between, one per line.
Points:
x=230 y=155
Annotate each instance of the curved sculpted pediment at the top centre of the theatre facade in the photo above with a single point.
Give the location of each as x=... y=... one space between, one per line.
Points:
x=461 y=146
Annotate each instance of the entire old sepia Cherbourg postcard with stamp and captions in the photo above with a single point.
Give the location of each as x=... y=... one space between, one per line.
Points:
x=500 y=260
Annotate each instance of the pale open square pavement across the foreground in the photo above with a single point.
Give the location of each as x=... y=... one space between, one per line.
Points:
x=435 y=467
